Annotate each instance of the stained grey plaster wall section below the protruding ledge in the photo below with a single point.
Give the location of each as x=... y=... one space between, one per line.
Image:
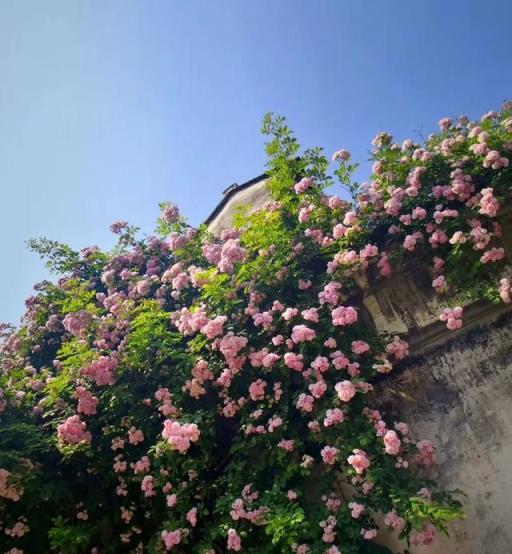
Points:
x=459 y=394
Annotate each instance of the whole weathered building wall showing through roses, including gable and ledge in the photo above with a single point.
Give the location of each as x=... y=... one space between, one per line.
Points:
x=455 y=388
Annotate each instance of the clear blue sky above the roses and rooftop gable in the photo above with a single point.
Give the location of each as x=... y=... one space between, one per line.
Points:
x=108 y=107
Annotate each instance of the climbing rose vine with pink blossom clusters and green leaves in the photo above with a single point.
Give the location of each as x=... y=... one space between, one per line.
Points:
x=193 y=393
